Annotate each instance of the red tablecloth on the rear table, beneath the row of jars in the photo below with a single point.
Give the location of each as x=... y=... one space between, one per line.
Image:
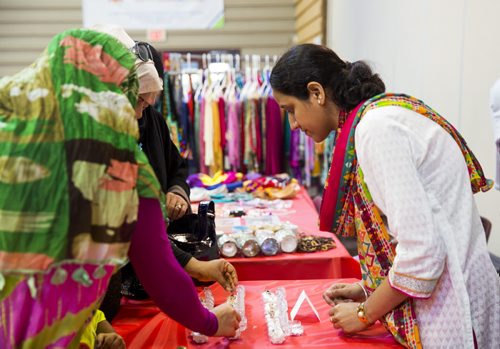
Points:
x=334 y=263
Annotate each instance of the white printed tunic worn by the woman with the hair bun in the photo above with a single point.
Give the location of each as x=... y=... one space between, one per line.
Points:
x=418 y=178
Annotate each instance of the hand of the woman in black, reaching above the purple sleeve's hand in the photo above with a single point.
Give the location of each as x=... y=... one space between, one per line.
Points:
x=218 y=270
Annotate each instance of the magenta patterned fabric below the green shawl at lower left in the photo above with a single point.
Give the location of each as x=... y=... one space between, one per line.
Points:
x=28 y=315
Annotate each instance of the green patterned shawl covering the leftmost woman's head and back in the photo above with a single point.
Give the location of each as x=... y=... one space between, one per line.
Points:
x=70 y=168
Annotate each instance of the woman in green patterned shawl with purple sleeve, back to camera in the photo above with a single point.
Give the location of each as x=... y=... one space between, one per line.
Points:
x=76 y=193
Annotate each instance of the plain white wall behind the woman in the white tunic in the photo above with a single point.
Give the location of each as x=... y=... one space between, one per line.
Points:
x=445 y=52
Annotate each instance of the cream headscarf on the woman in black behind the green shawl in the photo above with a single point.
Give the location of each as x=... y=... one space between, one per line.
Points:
x=149 y=81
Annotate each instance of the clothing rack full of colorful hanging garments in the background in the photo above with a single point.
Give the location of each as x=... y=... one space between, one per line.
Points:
x=222 y=116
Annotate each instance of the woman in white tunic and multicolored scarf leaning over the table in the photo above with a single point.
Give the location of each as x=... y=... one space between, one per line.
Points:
x=426 y=271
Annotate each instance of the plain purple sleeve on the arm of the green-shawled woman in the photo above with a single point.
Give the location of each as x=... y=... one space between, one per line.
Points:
x=162 y=277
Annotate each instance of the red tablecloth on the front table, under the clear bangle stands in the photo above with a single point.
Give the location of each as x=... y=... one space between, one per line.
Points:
x=142 y=325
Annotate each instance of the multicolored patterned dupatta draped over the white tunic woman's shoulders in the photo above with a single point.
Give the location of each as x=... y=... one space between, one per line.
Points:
x=355 y=214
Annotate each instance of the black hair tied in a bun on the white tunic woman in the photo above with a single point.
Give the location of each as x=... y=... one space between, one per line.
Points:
x=347 y=84
